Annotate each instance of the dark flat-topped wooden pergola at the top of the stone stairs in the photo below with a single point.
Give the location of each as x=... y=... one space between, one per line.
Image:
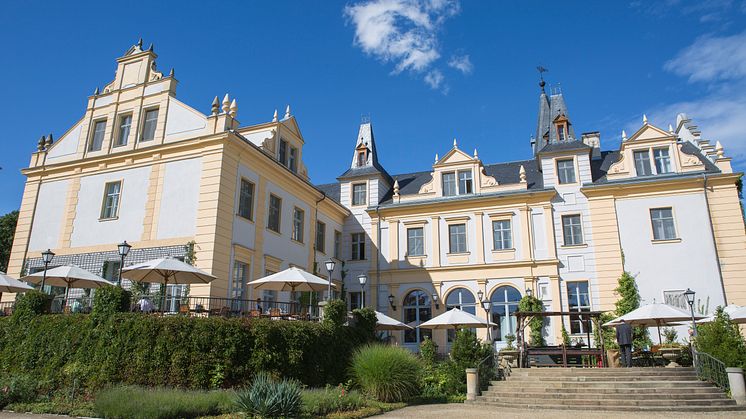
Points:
x=523 y=319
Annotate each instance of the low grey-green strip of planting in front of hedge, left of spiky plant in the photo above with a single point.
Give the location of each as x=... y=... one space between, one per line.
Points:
x=159 y=403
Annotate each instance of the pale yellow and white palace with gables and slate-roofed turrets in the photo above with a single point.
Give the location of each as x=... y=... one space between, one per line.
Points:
x=564 y=224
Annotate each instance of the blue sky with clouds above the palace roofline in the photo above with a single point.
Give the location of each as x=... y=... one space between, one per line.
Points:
x=426 y=72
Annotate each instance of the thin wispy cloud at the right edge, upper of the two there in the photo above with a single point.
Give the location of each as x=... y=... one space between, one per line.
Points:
x=711 y=58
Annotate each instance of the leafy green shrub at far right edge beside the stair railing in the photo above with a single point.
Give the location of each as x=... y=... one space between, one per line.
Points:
x=722 y=339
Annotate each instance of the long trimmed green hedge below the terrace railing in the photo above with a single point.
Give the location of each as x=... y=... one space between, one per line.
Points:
x=187 y=352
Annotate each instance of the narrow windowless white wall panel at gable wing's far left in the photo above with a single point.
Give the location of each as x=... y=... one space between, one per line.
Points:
x=49 y=215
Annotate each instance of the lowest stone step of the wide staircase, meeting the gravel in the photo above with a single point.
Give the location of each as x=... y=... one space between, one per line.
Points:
x=678 y=408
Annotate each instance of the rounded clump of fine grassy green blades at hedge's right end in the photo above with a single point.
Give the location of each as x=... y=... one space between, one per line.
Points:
x=387 y=373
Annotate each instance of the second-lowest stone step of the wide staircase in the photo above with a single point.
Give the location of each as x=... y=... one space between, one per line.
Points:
x=682 y=395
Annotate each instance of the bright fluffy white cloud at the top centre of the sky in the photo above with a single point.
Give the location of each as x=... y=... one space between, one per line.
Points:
x=403 y=32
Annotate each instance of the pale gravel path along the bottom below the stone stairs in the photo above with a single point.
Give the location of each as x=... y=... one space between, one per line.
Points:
x=465 y=411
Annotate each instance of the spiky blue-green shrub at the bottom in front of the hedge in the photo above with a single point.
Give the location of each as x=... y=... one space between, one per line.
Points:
x=270 y=398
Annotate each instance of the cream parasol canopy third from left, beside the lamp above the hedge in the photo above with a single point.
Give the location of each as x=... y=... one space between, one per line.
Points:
x=166 y=271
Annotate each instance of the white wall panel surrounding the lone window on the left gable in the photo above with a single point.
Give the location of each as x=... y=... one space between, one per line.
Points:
x=88 y=230
